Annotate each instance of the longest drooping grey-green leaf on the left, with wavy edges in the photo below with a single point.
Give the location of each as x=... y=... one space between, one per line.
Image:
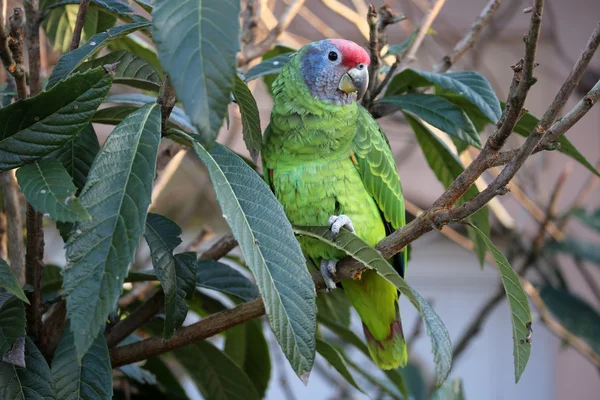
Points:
x=116 y=194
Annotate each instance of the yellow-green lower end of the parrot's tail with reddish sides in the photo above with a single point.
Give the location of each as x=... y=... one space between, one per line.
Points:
x=389 y=353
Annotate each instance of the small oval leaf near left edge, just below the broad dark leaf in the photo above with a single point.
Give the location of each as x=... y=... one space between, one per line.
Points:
x=49 y=189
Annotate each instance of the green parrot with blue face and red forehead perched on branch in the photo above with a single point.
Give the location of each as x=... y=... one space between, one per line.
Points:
x=328 y=163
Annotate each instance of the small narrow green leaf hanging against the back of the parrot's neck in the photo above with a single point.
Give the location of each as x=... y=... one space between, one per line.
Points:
x=250 y=117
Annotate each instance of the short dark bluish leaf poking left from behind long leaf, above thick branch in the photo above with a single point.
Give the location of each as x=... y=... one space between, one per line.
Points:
x=218 y=276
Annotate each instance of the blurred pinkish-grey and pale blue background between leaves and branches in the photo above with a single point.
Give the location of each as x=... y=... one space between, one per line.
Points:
x=442 y=269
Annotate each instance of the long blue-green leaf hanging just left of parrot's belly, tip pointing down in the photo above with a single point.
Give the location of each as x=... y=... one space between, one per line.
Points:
x=259 y=224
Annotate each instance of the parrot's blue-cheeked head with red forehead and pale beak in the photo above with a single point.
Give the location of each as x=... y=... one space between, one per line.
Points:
x=333 y=69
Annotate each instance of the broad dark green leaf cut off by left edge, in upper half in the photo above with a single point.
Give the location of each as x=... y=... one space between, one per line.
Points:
x=38 y=126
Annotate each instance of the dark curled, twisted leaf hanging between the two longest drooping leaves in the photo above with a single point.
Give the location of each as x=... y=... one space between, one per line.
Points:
x=177 y=275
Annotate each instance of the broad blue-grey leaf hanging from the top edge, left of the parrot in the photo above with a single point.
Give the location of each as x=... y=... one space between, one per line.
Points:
x=197 y=44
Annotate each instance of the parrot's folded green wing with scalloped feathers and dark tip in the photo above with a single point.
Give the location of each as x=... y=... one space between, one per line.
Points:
x=374 y=160
